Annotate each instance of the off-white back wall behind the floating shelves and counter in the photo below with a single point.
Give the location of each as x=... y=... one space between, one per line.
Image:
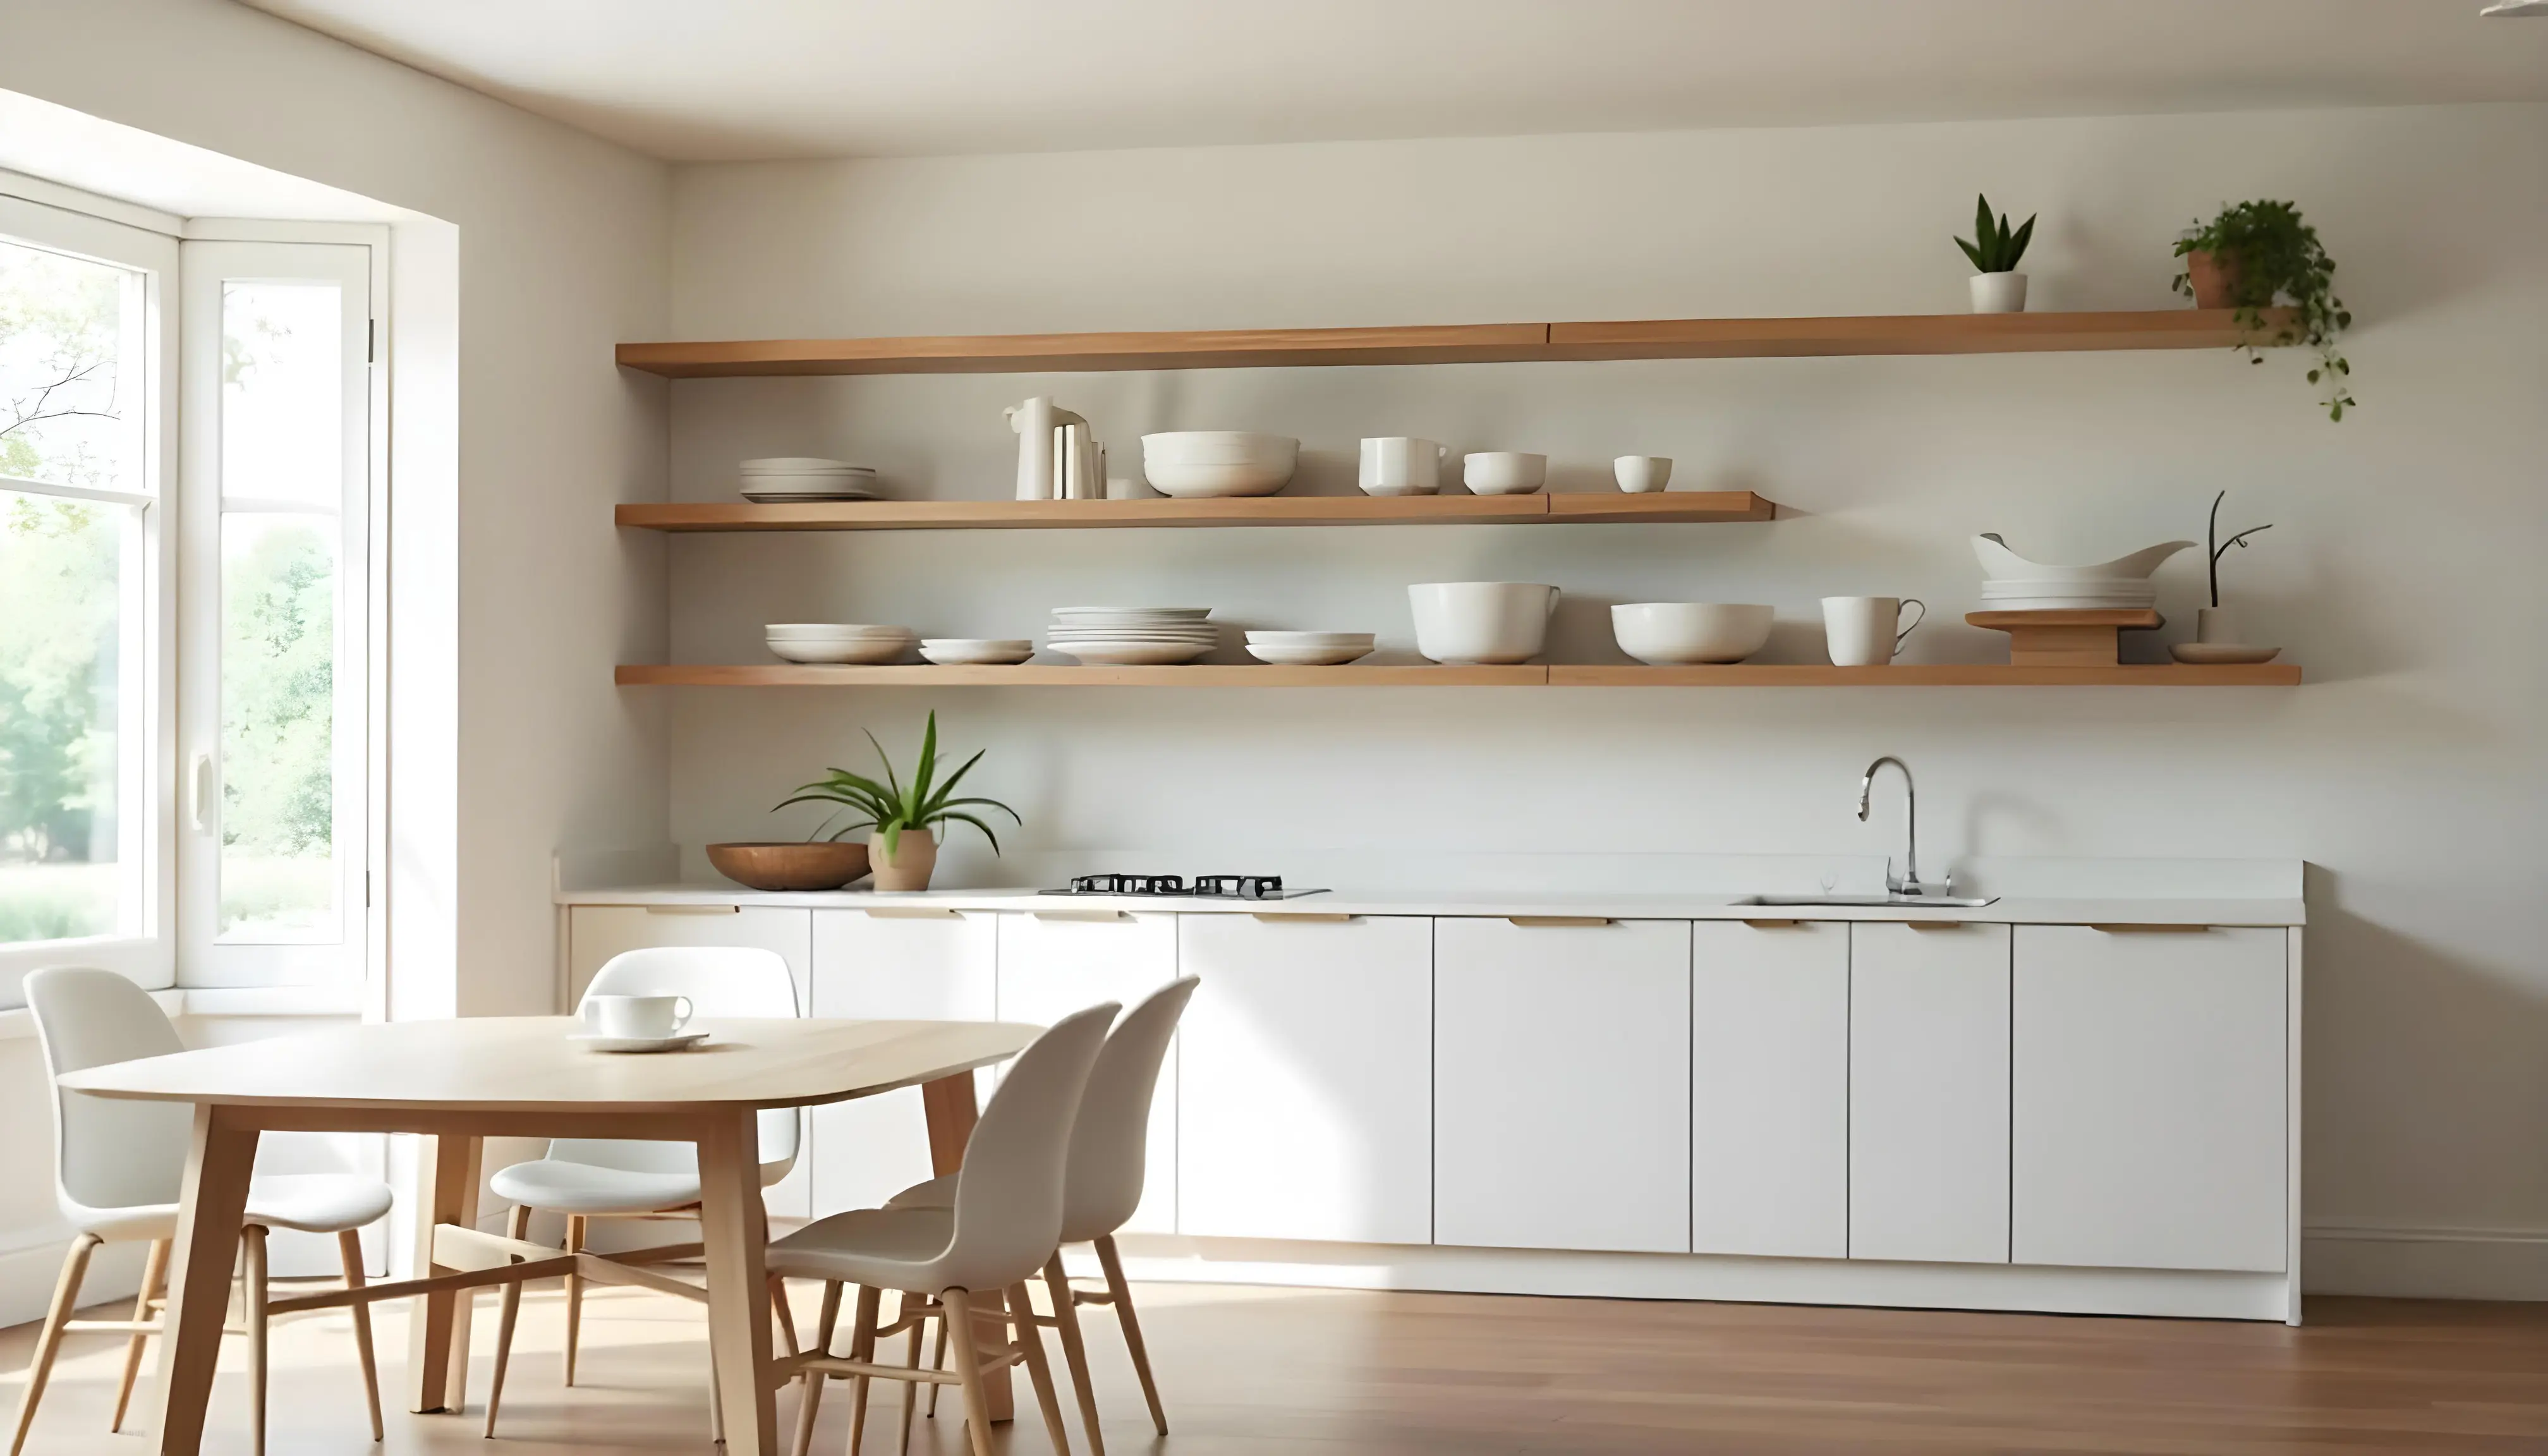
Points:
x=2401 y=572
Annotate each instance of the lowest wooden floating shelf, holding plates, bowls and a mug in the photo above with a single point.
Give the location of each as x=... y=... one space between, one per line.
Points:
x=1428 y=677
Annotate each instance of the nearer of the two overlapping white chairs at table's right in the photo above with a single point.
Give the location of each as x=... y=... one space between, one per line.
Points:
x=992 y=1238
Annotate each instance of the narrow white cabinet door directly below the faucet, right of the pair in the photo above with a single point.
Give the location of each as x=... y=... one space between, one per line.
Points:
x=1930 y=1093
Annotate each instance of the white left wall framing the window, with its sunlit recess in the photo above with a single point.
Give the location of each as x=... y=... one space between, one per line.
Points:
x=511 y=575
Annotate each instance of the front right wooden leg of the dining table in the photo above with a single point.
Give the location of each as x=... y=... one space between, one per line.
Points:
x=735 y=1230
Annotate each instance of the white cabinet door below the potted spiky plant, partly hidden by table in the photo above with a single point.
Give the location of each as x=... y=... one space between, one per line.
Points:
x=891 y=968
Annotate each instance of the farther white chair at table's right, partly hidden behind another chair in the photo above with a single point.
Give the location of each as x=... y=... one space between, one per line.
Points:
x=1110 y=1154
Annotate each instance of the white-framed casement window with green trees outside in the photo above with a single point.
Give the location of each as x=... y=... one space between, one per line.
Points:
x=187 y=657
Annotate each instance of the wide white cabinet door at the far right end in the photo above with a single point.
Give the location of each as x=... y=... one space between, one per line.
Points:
x=2152 y=1098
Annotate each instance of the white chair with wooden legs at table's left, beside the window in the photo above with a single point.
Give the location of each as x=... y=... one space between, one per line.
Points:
x=118 y=1177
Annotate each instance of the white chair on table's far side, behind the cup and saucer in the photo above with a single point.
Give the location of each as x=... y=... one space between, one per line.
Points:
x=623 y=1179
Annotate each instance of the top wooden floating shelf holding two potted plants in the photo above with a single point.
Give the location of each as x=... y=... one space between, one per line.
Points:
x=1449 y=346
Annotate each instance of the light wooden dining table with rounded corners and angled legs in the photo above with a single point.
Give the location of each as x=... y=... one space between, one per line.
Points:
x=460 y=1082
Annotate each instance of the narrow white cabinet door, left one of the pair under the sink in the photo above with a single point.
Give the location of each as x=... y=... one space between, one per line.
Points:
x=1770 y=1090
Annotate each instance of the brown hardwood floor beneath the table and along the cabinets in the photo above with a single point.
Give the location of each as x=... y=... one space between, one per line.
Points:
x=1250 y=1373
